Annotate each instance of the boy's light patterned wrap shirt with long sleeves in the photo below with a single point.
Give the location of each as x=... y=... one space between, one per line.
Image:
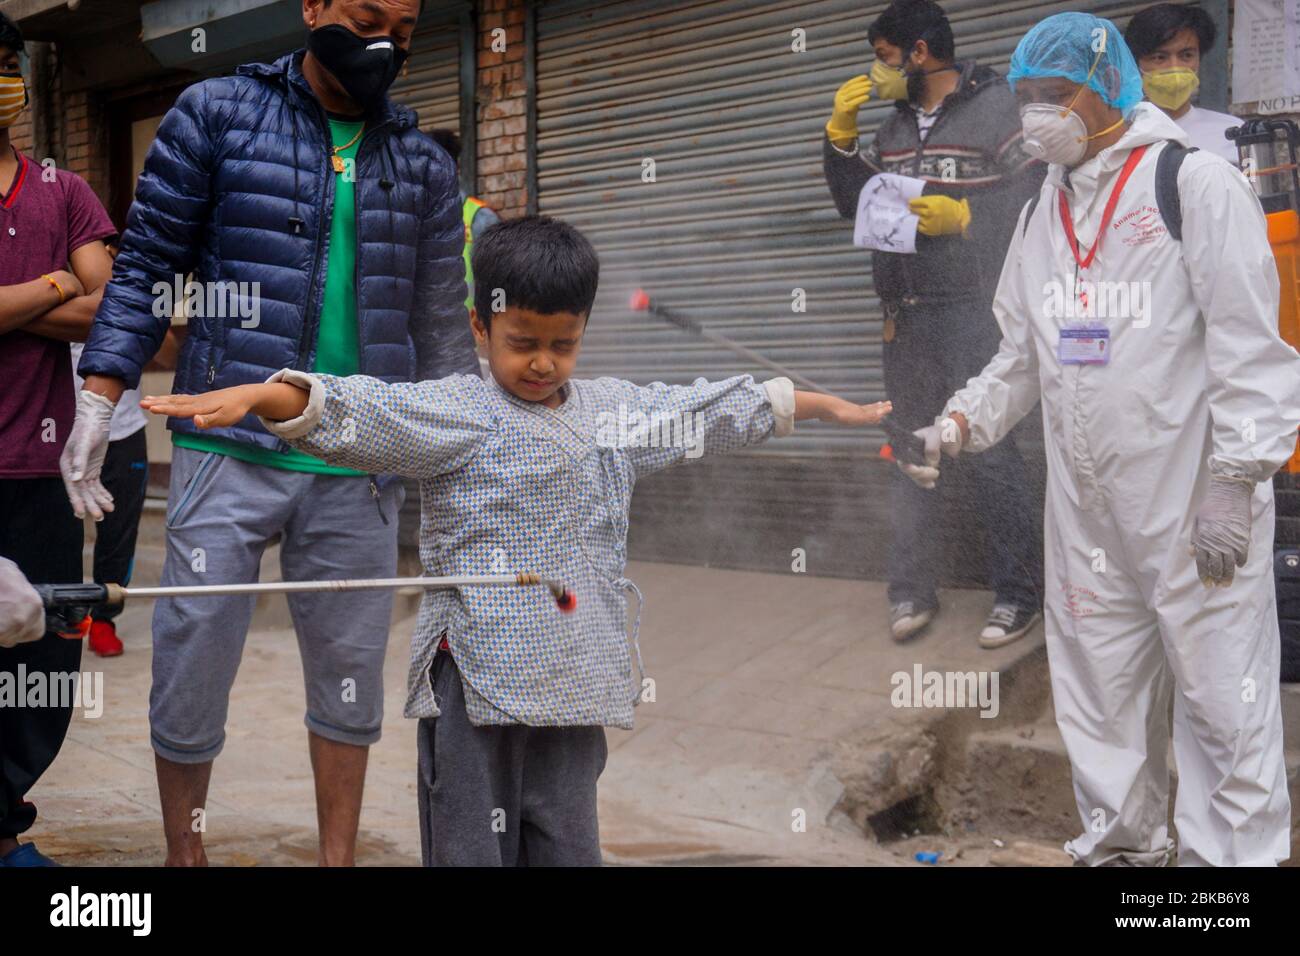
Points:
x=509 y=486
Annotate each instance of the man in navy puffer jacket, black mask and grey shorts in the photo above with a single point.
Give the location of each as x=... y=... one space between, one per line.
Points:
x=322 y=231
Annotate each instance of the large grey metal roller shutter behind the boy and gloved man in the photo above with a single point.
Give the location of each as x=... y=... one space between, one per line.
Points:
x=739 y=218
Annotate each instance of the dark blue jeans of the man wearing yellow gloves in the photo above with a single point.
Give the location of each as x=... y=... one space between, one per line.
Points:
x=935 y=349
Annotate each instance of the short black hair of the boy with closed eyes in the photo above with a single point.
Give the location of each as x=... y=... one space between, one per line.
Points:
x=540 y=263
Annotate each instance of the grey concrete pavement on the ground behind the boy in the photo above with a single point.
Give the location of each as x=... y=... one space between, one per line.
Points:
x=770 y=738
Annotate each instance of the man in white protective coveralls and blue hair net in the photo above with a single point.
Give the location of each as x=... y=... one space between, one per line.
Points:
x=1169 y=401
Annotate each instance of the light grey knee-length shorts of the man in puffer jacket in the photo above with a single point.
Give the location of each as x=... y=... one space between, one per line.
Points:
x=222 y=516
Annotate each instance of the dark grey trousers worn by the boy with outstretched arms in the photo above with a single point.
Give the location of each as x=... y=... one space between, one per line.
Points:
x=505 y=797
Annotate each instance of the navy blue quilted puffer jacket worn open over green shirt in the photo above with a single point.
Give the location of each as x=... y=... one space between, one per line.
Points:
x=239 y=188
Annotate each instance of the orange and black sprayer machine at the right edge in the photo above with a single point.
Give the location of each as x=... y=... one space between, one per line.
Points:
x=1268 y=152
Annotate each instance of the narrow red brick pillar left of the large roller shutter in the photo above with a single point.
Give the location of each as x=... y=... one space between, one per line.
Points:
x=502 y=110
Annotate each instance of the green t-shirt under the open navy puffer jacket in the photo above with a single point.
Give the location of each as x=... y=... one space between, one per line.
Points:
x=339 y=339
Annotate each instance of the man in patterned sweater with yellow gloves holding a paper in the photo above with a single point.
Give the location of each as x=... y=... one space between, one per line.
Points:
x=957 y=127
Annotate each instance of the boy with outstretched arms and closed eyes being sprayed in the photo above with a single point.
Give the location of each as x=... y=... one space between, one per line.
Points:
x=525 y=471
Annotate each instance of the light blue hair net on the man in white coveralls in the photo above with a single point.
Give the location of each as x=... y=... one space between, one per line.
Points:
x=1068 y=46
